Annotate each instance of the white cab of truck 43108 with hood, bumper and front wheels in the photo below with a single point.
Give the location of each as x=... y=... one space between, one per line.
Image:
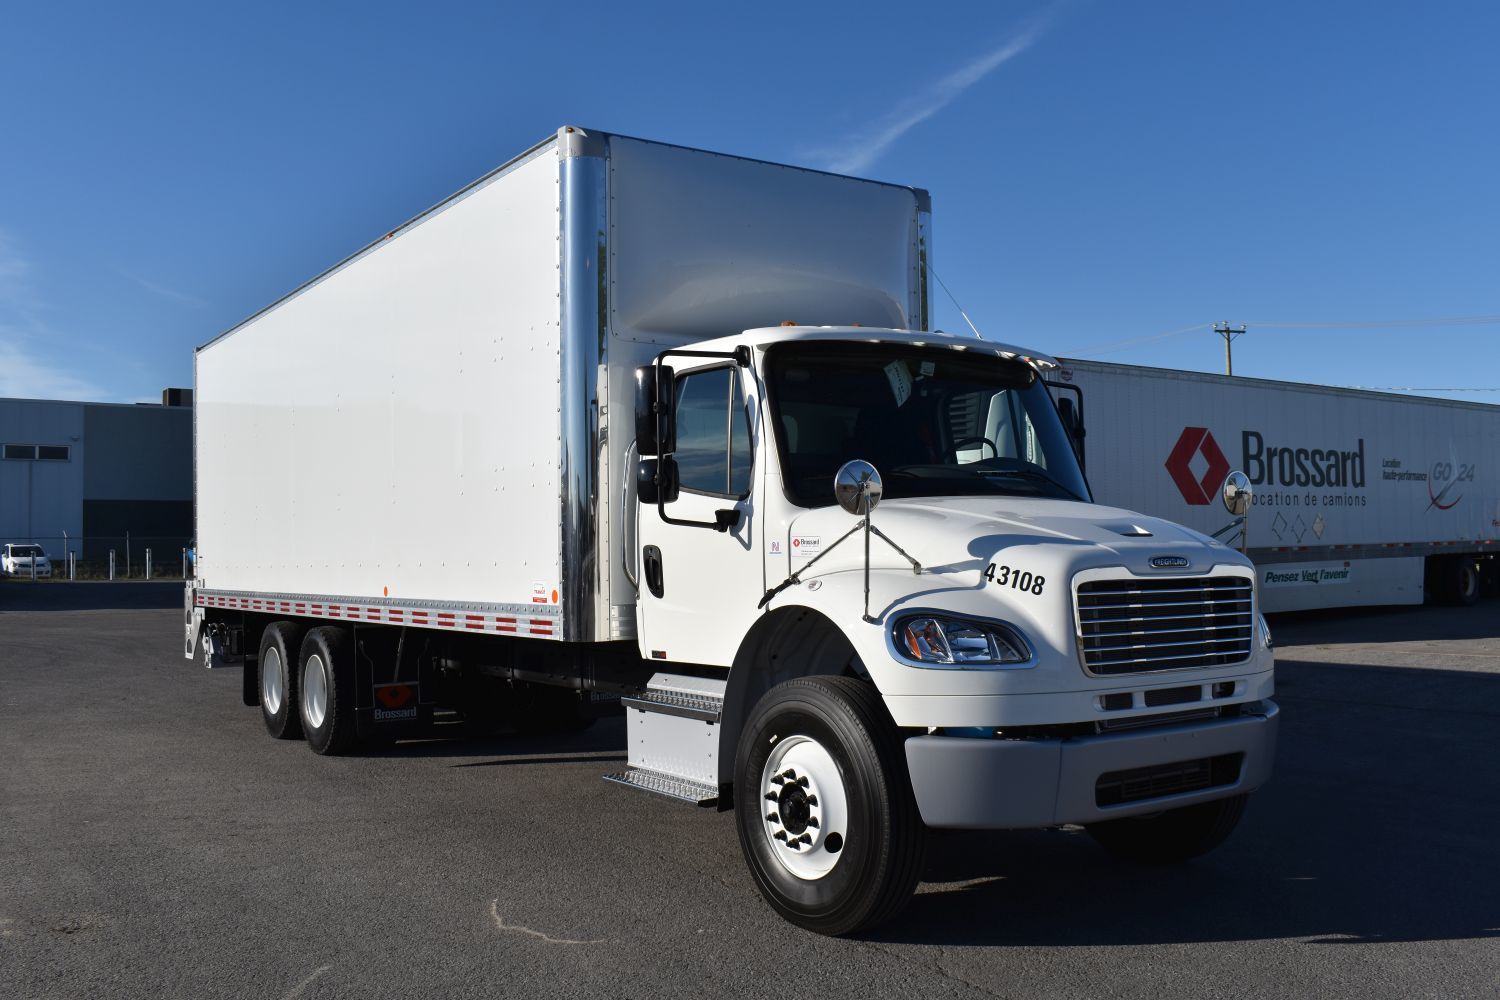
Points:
x=827 y=513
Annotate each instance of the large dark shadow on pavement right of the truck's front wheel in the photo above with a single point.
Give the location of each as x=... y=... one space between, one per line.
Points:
x=1378 y=825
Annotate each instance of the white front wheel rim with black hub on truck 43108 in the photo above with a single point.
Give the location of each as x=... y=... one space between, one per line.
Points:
x=805 y=807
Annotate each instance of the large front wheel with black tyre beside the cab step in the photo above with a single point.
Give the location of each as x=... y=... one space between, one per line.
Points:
x=824 y=806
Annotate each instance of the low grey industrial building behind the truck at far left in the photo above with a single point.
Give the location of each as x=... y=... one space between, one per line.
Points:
x=98 y=478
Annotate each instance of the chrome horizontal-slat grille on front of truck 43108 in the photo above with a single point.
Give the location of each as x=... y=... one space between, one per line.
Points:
x=1135 y=626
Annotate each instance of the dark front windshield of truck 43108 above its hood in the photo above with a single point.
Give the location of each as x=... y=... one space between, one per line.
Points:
x=935 y=422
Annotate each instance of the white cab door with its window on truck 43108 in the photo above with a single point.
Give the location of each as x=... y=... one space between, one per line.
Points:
x=700 y=587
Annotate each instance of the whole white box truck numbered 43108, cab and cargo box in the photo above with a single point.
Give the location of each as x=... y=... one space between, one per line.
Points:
x=577 y=431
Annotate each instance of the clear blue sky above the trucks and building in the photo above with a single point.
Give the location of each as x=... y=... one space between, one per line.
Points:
x=1102 y=173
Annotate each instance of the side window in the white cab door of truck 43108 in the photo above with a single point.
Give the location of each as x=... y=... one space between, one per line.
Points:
x=713 y=434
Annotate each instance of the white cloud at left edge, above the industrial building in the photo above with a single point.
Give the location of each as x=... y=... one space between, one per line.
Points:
x=25 y=373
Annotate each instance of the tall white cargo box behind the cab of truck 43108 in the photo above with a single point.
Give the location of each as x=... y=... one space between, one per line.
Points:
x=425 y=428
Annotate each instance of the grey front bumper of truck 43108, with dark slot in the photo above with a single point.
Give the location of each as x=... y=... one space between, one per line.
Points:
x=1027 y=783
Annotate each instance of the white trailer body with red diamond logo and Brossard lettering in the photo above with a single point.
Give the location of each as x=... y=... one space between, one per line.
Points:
x=1361 y=497
